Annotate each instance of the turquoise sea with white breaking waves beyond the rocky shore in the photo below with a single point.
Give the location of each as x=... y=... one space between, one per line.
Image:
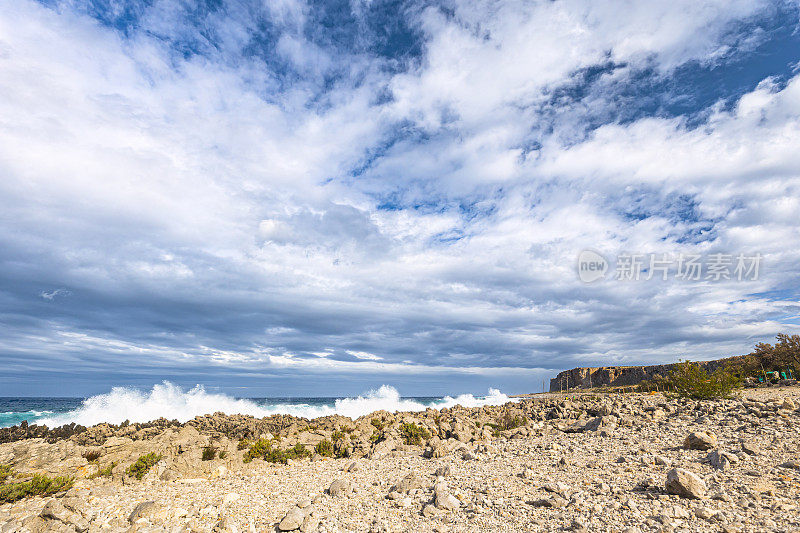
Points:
x=175 y=403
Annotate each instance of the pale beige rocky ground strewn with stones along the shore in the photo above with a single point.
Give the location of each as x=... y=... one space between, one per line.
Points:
x=629 y=462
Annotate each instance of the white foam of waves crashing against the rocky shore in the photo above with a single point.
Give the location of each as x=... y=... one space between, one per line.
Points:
x=173 y=403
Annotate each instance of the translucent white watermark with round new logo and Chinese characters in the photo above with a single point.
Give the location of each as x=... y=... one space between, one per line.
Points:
x=593 y=266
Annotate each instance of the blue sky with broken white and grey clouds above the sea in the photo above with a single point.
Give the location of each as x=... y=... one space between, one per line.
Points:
x=293 y=198
